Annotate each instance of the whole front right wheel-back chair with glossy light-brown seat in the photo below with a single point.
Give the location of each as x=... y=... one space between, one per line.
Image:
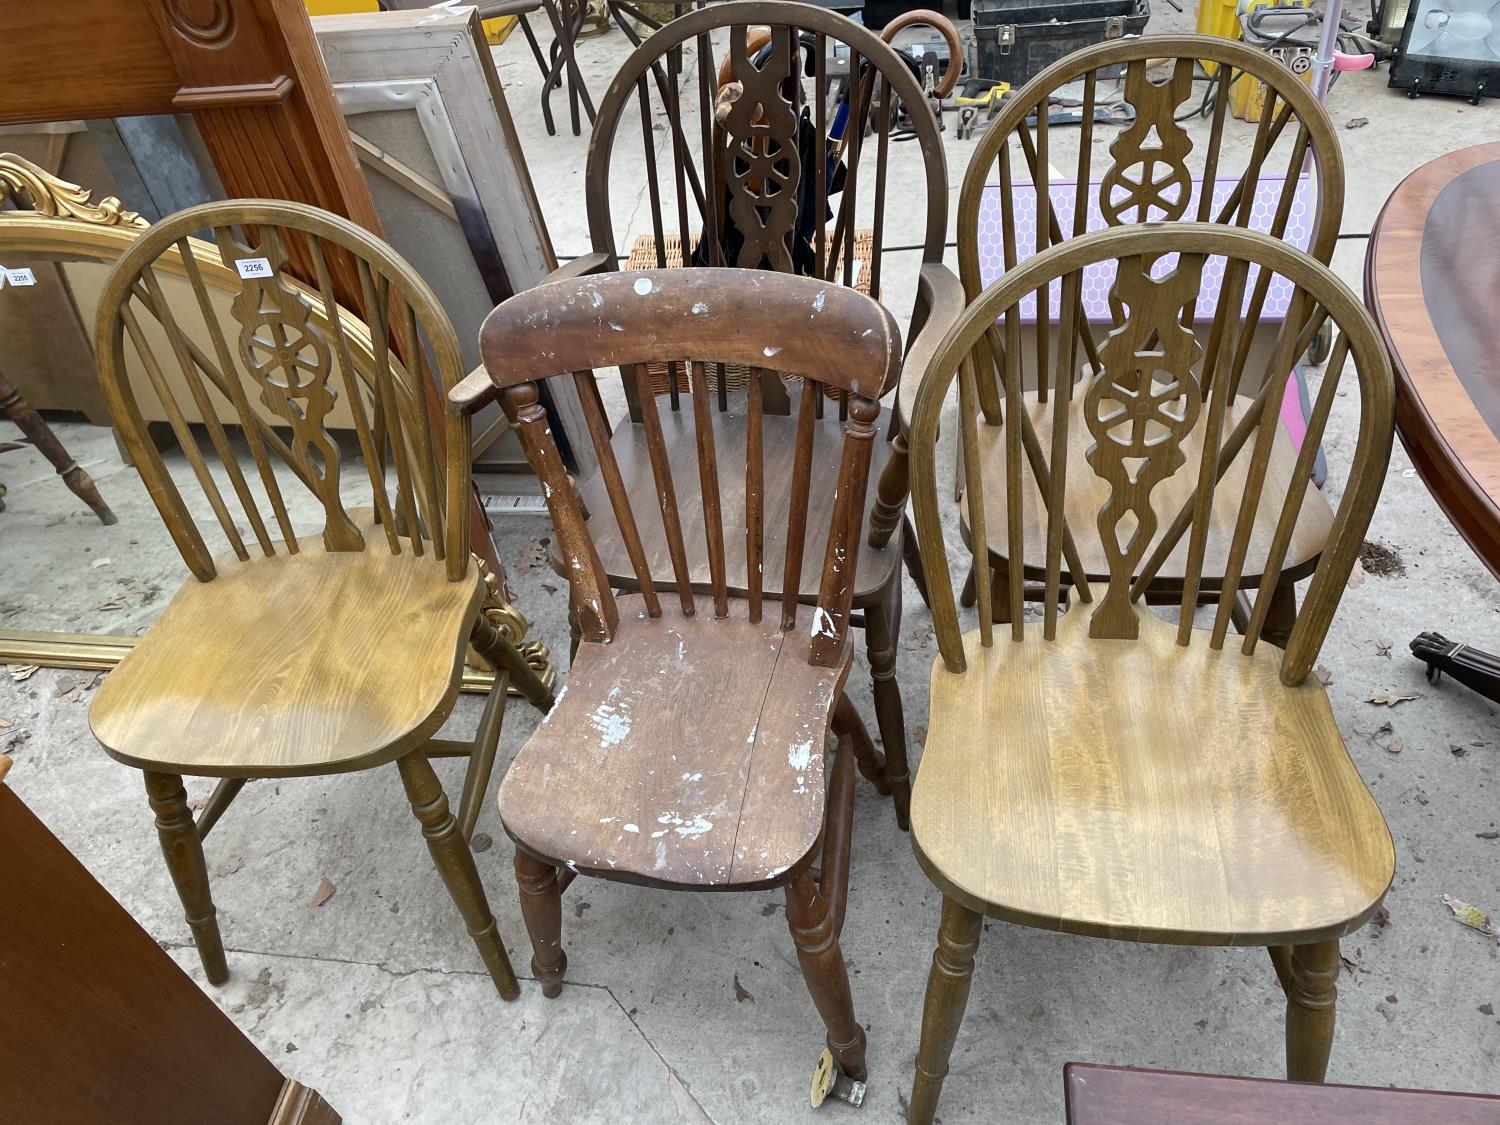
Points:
x=1108 y=773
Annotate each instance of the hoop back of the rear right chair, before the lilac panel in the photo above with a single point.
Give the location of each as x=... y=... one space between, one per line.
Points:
x=1154 y=170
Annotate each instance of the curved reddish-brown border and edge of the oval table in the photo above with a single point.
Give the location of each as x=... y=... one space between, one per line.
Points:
x=1471 y=508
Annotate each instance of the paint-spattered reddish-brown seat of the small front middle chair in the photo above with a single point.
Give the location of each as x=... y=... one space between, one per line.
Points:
x=688 y=752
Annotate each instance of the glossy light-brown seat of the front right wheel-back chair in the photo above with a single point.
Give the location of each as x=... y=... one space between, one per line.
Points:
x=1145 y=791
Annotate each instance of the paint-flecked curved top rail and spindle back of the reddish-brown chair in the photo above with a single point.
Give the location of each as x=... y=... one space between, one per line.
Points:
x=826 y=335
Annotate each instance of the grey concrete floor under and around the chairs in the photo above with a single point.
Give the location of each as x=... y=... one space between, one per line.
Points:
x=691 y=1007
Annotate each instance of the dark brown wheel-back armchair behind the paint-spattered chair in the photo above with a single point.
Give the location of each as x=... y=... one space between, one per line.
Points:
x=740 y=194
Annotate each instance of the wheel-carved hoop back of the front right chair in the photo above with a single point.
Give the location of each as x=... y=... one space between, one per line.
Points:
x=1165 y=382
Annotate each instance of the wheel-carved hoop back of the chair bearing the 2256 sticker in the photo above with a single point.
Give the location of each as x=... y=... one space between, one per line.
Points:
x=281 y=358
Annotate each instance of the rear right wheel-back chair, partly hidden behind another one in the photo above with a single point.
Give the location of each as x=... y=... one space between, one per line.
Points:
x=1154 y=170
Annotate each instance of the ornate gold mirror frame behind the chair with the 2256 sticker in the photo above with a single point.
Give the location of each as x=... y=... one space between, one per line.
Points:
x=62 y=221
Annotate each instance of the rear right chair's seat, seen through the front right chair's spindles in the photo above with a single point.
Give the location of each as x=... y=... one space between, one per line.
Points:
x=1088 y=493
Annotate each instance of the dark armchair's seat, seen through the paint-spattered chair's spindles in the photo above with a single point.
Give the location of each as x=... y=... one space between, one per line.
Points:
x=877 y=566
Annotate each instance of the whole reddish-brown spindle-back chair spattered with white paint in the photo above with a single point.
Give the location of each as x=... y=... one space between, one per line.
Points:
x=688 y=751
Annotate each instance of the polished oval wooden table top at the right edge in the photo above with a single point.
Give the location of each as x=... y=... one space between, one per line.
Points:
x=1432 y=281
